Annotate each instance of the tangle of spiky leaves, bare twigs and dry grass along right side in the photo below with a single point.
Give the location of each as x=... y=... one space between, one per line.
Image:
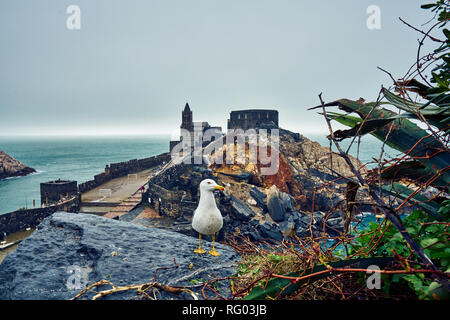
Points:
x=411 y=254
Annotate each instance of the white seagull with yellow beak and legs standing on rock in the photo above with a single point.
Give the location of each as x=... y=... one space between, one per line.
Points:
x=207 y=217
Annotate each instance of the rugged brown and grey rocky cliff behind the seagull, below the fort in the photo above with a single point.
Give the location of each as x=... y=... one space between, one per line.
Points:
x=262 y=207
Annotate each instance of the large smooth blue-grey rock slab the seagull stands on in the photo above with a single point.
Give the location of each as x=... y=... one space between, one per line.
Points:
x=46 y=264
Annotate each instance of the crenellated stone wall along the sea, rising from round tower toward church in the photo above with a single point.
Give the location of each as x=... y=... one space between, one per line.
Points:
x=120 y=169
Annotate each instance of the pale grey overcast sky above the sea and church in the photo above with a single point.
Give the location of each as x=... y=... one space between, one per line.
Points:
x=133 y=64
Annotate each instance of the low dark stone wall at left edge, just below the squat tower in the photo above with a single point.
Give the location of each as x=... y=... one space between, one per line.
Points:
x=29 y=218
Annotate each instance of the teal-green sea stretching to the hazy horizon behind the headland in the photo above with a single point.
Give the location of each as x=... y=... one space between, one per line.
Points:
x=81 y=157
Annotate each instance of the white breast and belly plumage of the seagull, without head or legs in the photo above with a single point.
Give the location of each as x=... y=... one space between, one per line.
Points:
x=207 y=217
